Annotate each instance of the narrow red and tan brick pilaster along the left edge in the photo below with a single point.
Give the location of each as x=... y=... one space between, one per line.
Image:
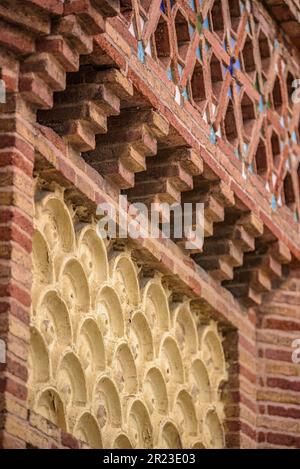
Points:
x=16 y=228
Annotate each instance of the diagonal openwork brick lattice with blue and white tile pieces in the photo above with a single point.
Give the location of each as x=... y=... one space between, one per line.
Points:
x=239 y=80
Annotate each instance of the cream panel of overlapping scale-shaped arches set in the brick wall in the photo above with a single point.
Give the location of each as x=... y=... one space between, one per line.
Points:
x=111 y=362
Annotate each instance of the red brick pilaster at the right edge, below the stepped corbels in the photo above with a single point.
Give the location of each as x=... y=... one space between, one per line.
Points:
x=278 y=374
